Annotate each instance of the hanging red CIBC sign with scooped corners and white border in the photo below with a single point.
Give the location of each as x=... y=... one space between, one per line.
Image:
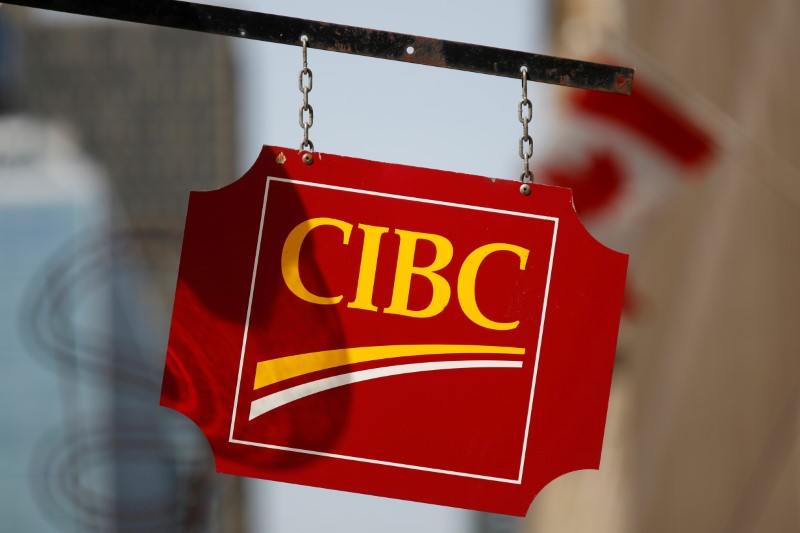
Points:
x=395 y=331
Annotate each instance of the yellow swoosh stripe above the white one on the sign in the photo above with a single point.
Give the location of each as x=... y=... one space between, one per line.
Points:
x=291 y=366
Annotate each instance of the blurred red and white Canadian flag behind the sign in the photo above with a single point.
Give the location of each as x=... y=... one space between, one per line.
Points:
x=623 y=157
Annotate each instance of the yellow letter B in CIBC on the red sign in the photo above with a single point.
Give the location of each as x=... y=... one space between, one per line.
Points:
x=406 y=270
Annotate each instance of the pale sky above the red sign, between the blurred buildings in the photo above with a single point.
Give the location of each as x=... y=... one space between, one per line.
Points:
x=391 y=111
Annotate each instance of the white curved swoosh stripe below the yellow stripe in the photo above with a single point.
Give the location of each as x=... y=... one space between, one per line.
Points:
x=278 y=399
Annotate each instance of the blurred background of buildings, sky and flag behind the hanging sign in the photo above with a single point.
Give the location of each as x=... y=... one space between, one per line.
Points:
x=106 y=127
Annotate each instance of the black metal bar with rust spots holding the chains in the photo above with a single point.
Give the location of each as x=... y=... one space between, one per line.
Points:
x=350 y=40
